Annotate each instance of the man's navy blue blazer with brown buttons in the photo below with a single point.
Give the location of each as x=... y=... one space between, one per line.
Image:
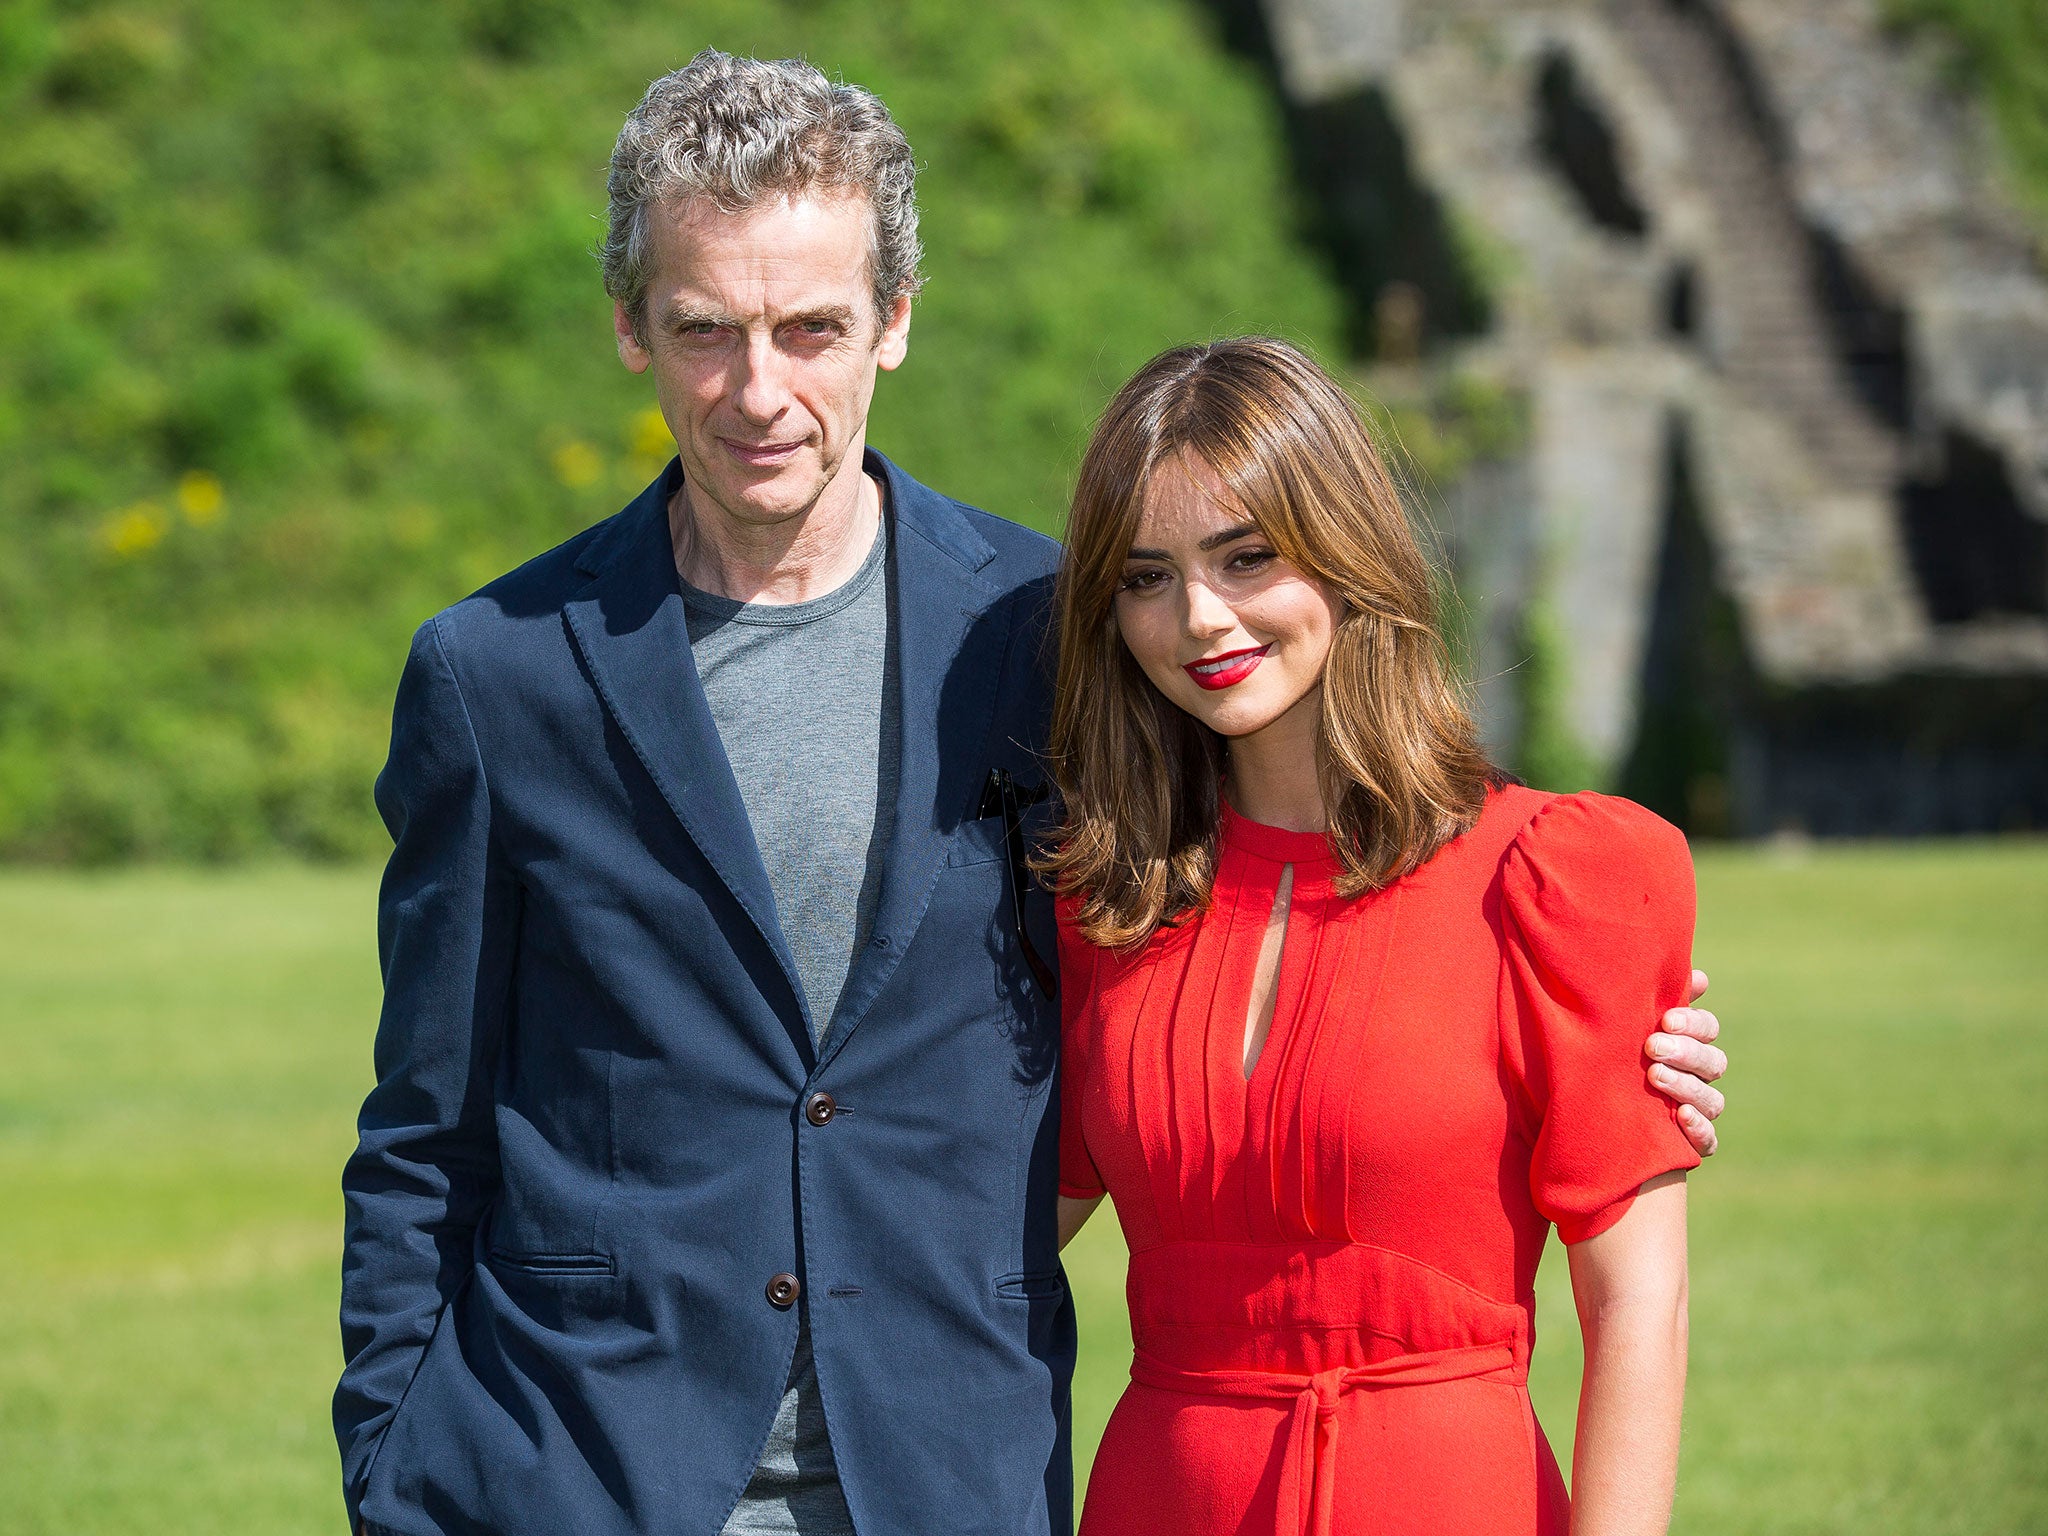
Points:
x=587 y=1160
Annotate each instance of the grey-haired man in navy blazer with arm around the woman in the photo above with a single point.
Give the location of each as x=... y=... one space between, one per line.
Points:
x=710 y=1175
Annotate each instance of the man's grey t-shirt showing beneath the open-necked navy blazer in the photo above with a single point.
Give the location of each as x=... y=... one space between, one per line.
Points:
x=804 y=703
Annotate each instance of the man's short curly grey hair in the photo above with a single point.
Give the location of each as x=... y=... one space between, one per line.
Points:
x=742 y=132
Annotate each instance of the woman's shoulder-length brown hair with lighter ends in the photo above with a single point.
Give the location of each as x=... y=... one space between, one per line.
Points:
x=1142 y=779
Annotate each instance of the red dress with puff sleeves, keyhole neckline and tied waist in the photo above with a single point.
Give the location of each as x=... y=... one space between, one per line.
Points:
x=1332 y=1263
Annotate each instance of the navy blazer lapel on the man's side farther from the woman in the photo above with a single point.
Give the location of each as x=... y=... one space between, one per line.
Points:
x=632 y=632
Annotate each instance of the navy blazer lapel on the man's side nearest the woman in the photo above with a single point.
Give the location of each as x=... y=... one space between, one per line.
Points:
x=949 y=648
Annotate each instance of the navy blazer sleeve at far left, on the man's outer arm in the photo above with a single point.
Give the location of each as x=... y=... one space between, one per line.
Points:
x=427 y=1158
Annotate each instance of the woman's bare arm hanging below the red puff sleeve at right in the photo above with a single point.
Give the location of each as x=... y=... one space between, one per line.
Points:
x=1629 y=1285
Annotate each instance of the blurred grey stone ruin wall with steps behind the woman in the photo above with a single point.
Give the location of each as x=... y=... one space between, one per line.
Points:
x=1793 y=286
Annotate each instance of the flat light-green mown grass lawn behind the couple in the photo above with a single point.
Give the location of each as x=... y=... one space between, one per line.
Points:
x=181 y=1056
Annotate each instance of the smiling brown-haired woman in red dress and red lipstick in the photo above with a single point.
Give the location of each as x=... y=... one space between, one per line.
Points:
x=1353 y=1019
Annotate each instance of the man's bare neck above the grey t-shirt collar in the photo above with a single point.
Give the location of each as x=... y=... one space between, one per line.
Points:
x=785 y=562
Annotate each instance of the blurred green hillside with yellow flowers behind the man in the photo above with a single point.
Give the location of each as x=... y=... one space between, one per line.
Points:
x=300 y=341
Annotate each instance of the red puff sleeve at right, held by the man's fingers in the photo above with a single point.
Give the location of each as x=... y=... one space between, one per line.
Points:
x=1596 y=914
